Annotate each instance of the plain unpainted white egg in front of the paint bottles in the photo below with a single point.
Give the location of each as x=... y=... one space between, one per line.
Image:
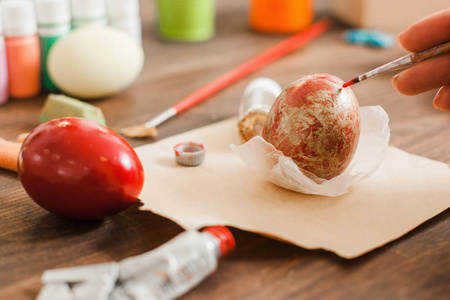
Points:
x=95 y=62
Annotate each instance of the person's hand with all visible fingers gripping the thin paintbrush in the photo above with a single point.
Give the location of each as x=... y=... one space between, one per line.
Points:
x=432 y=73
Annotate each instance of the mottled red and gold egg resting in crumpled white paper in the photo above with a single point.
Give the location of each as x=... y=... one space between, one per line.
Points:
x=315 y=122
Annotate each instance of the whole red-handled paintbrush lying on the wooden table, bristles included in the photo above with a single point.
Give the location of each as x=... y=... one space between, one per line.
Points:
x=149 y=128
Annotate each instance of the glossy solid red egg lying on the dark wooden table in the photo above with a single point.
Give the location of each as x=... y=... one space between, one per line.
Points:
x=79 y=169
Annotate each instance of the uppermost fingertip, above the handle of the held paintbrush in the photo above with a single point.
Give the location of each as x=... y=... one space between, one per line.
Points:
x=426 y=33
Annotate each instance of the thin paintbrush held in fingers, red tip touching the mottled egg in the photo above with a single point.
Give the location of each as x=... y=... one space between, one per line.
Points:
x=402 y=62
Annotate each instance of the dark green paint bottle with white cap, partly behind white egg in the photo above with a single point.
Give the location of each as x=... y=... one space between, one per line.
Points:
x=53 y=17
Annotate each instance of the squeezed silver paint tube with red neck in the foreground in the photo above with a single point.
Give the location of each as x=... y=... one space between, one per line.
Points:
x=166 y=272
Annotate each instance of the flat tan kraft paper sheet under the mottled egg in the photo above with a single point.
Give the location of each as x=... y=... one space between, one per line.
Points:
x=405 y=191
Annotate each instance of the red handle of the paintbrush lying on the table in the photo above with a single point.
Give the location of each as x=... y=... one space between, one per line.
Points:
x=254 y=64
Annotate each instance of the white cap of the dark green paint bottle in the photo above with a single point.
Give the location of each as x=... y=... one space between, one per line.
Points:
x=53 y=11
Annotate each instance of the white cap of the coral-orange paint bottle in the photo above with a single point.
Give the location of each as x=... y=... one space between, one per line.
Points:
x=19 y=18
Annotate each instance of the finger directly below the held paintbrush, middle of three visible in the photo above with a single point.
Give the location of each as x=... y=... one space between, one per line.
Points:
x=427 y=75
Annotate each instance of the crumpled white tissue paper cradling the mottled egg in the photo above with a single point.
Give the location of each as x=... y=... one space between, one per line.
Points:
x=281 y=170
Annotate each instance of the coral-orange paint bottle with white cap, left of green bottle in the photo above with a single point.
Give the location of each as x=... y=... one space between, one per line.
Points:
x=22 y=48
